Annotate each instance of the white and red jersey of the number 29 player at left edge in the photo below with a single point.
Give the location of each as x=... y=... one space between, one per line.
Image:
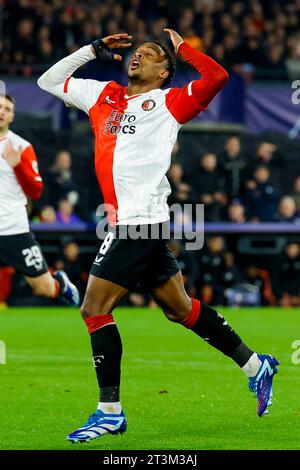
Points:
x=17 y=183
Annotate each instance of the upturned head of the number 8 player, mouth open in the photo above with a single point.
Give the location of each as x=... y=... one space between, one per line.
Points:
x=148 y=63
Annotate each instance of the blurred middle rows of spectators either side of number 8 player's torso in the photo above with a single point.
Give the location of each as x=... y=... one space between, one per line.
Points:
x=234 y=184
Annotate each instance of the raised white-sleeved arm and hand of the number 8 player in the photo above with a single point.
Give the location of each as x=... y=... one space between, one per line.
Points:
x=81 y=93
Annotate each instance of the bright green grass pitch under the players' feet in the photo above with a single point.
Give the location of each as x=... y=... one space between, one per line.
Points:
x=177 y=391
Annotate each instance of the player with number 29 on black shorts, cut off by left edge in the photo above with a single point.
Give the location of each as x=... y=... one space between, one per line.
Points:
x=19 y=177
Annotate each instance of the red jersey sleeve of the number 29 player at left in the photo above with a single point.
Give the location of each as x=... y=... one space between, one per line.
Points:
x=28 y=175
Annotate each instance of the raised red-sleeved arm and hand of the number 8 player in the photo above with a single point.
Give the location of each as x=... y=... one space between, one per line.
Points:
x=185 y=103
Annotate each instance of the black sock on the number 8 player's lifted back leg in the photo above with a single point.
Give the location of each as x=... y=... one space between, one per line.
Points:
x=213 y=328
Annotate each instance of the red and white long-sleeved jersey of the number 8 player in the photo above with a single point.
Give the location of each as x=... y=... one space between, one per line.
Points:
x=134 y=135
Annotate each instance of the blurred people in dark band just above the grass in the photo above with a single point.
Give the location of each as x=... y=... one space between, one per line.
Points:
x=215 y=274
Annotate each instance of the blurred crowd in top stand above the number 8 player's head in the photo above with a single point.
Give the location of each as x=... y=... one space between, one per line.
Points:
x=253 y=37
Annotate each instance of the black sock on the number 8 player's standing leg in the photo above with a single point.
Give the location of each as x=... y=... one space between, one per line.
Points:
x=107 y=354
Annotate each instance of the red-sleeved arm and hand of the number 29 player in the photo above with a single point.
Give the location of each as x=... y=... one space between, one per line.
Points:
x=24 y=163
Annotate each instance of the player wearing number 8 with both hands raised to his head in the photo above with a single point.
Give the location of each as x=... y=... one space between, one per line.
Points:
x=135 y=129
